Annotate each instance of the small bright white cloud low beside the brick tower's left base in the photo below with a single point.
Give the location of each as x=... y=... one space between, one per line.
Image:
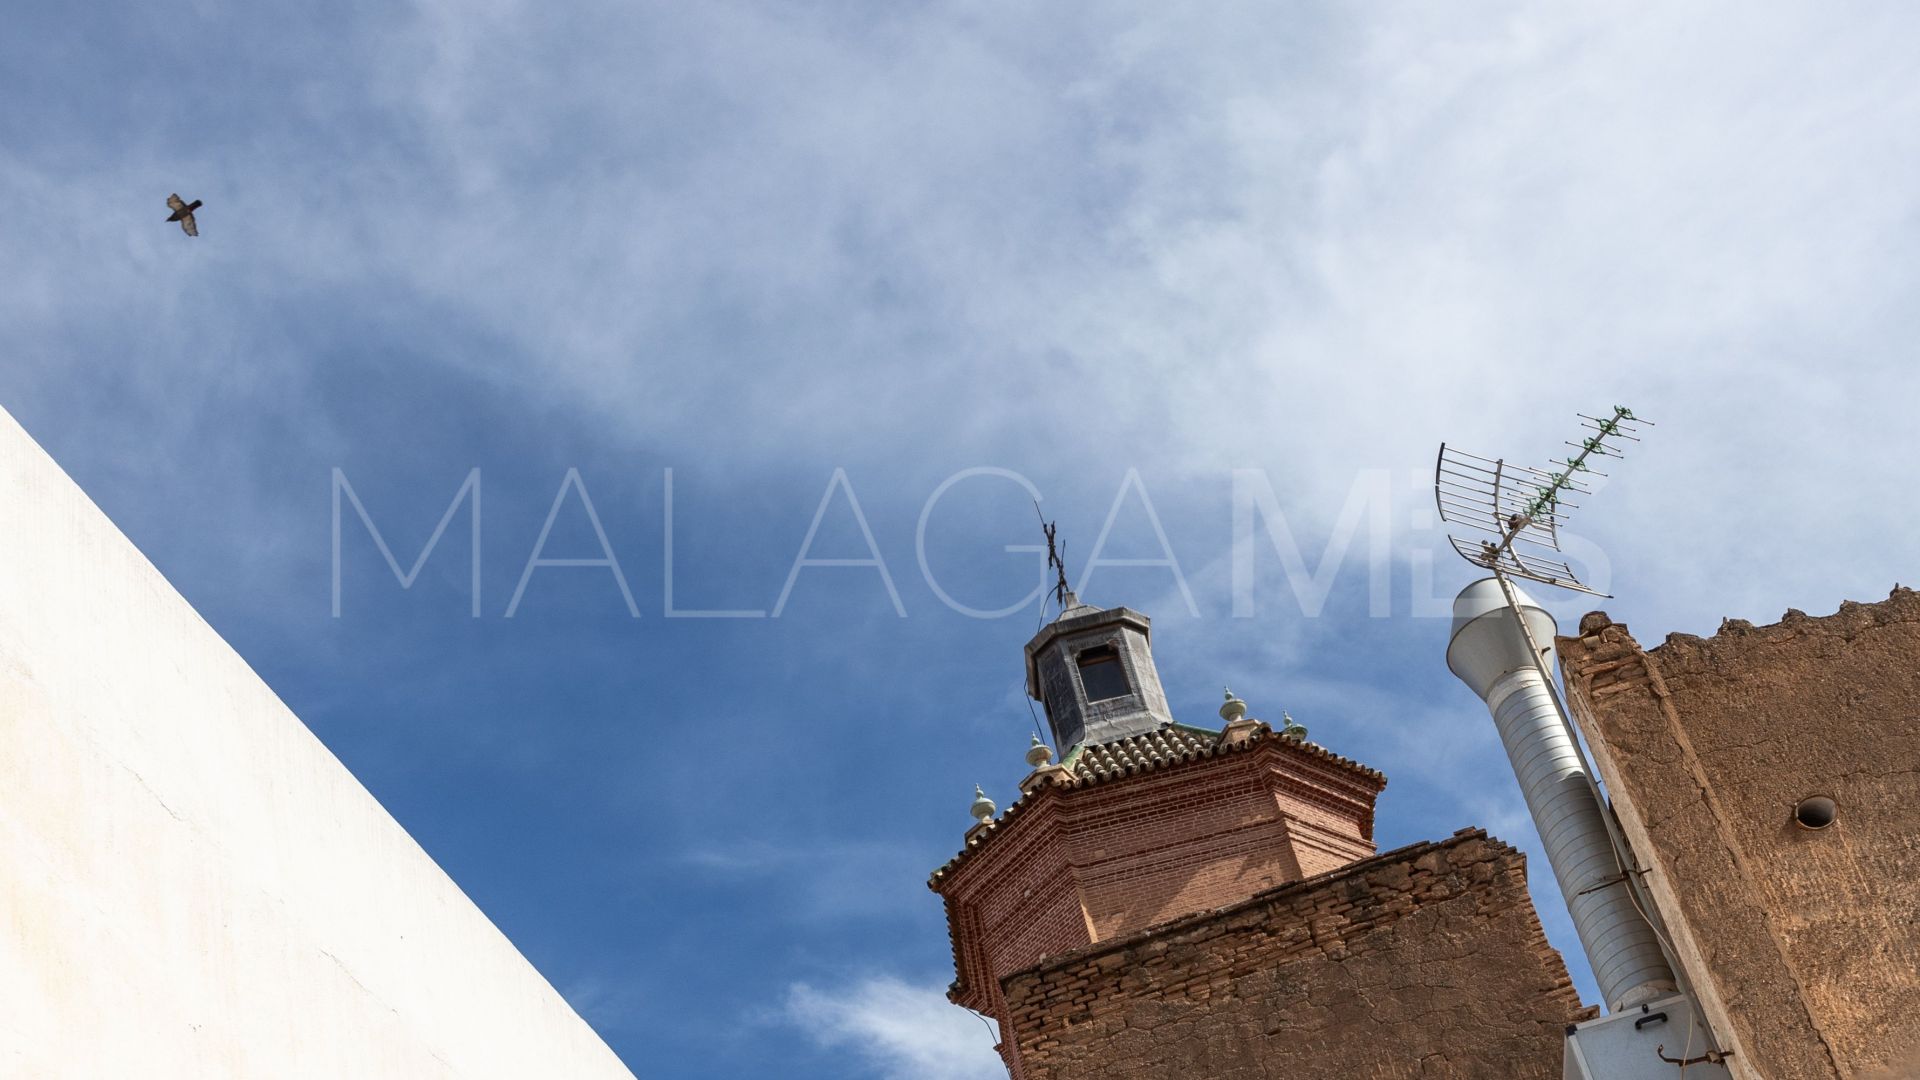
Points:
x=898 y=1029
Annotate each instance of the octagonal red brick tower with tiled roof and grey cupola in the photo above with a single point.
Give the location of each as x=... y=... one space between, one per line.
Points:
x=1141 y=822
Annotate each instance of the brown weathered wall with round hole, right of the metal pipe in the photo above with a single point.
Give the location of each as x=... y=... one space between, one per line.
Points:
x=1804 y=946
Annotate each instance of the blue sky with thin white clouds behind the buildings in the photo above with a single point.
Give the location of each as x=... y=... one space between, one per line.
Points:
x=759 y=245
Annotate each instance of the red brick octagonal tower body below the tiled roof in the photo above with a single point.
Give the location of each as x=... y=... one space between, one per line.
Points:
x=1086 y=862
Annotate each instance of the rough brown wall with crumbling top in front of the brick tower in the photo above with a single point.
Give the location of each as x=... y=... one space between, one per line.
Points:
x=1426 y=962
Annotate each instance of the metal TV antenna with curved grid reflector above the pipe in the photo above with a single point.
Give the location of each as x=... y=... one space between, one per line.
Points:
x=1524 y=508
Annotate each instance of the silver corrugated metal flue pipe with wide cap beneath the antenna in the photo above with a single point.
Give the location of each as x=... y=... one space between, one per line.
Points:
x=1491 y=654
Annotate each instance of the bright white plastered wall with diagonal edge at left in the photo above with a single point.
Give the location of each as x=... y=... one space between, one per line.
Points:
x=191 y=885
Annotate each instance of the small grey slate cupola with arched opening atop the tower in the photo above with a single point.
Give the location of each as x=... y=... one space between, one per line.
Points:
x=1093 y=670
